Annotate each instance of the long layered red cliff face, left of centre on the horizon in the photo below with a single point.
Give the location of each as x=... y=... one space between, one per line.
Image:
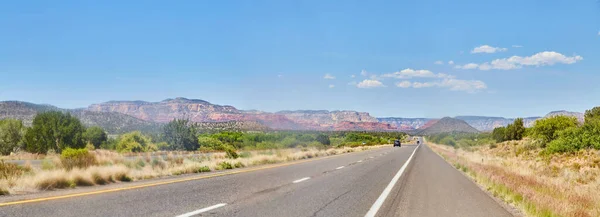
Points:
x=203 y=111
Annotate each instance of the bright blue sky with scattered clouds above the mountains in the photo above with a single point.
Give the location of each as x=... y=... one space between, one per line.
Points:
x=510 y=58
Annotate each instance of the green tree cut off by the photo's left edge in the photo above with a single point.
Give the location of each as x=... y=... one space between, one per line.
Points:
x=11 y=135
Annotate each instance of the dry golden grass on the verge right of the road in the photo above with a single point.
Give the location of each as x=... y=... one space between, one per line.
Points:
x=558 y=185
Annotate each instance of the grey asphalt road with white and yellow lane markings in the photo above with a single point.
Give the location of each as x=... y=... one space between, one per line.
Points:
x=345 y=185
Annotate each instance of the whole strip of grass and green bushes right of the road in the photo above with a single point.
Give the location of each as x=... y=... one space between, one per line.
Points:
x=550 y=169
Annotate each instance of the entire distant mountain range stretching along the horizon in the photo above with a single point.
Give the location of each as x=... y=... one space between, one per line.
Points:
x=123 y=116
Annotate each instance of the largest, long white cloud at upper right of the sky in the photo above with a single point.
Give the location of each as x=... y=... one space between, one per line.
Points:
x=546 y=58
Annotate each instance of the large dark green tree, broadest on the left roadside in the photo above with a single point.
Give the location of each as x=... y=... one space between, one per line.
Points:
x=54 y=130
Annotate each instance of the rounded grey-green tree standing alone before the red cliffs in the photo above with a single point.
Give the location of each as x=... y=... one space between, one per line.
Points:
x=181 y=135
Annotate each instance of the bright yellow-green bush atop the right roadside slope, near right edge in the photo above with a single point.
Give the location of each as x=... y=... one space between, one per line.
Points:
x=546 y=129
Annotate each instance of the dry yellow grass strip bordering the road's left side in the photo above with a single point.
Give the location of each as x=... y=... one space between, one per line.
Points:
x=114 y=167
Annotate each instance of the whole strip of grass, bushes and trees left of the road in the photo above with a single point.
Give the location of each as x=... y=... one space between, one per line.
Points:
x=73 y=155
